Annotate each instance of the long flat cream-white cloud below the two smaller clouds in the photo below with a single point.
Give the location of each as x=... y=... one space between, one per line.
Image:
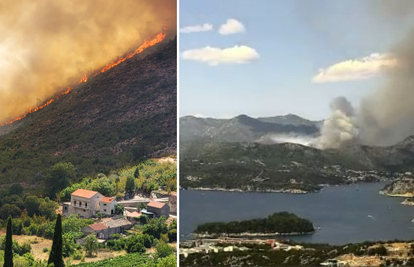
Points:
x=215 y=56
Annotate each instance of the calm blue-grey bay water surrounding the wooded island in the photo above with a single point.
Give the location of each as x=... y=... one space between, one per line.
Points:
x=345 y=213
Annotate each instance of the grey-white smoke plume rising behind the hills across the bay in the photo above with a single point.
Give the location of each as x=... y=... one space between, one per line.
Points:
x=386 y=116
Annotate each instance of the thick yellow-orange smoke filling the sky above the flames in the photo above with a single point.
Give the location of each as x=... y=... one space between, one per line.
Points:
x=47 y=45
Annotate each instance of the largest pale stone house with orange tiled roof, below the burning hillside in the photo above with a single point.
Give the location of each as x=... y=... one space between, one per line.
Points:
x=83 y=202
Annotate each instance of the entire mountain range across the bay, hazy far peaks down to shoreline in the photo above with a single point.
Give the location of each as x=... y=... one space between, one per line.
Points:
x=233 y=154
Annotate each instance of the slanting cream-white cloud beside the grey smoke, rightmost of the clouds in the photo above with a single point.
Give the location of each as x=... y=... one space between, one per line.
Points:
x=355 y=69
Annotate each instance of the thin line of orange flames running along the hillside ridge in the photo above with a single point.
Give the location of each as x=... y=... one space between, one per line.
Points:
x=158 y=39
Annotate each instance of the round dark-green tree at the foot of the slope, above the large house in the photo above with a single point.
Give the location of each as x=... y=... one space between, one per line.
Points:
x=58 y=177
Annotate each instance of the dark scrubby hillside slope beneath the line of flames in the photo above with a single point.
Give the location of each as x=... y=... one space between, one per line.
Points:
x=116 y=118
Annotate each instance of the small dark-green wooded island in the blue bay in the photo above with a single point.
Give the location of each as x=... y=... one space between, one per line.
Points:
x=277 y=224
